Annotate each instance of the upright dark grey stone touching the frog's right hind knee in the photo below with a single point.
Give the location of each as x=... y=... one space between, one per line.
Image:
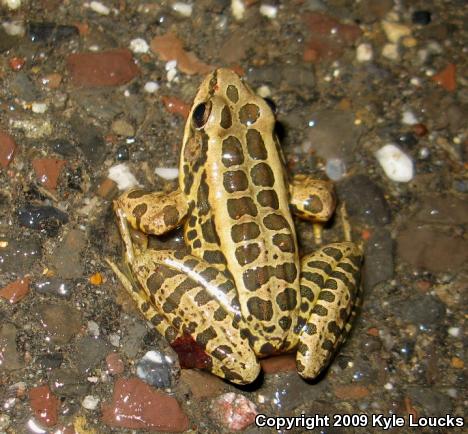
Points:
x=378 y=262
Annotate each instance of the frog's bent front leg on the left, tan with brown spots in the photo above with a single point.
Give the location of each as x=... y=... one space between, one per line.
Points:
x=153 y=213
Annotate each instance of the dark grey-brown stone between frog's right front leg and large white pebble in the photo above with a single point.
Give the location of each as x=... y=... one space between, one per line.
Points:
x=364 y=200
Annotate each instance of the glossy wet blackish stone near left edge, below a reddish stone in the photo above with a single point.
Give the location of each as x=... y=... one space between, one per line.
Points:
x=44 y=217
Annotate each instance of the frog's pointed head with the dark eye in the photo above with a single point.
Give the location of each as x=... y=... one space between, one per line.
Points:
x=223 y=112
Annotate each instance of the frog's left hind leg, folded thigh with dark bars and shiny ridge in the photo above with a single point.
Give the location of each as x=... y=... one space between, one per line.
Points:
x=198 y=299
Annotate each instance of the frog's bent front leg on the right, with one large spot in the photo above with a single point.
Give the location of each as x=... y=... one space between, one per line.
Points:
x=312 y=199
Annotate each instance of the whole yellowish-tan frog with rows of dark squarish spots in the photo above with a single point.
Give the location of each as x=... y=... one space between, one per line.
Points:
x=240 y=290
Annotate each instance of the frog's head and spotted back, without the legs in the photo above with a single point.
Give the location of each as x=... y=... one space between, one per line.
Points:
x=233 y=174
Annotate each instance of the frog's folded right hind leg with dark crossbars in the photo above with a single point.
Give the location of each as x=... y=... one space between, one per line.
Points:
x=329 y=287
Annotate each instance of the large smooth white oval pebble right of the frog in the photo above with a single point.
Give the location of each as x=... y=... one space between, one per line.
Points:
x=396 y=164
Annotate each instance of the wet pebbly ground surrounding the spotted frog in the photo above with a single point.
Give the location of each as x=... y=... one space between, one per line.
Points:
x=371 y=94
